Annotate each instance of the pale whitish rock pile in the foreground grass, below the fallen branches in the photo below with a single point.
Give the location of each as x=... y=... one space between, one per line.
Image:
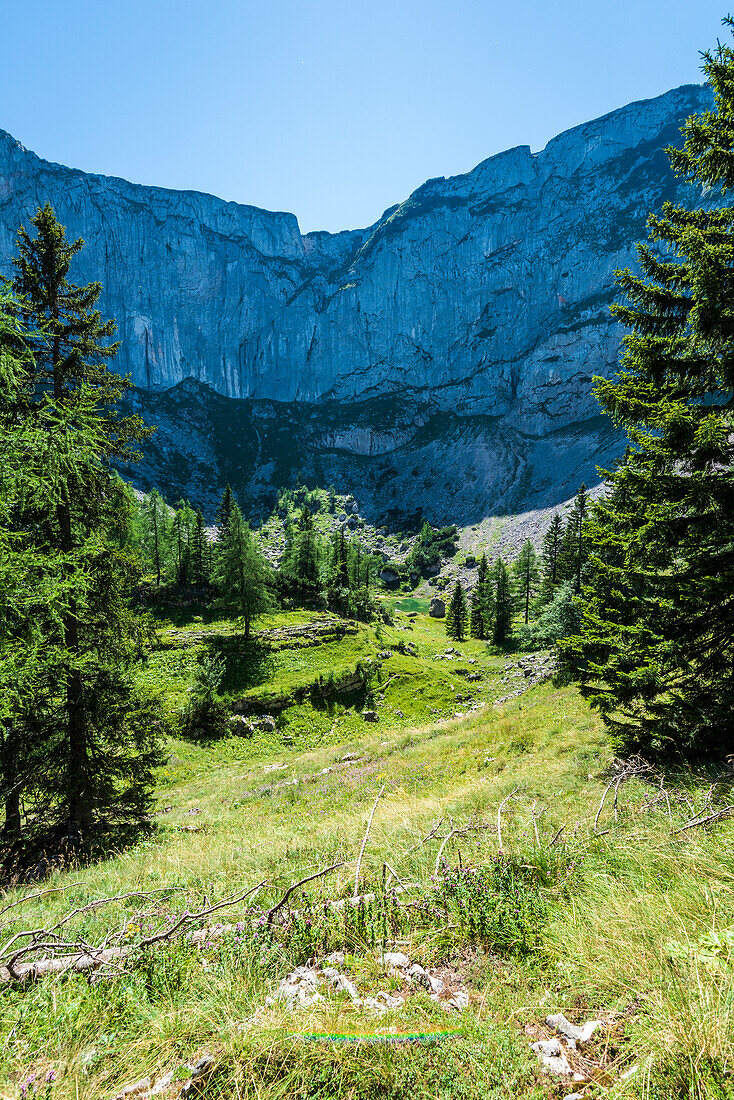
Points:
x=304 y=986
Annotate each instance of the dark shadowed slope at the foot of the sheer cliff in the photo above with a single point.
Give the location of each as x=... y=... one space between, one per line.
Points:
x=402 y=460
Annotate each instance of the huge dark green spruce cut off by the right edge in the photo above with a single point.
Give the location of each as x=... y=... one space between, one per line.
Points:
x=656 y=650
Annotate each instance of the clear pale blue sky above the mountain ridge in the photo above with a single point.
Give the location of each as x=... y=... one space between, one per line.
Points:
x=333 y=109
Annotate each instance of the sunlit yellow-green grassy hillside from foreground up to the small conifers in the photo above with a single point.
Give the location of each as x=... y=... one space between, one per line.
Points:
x=540 y=904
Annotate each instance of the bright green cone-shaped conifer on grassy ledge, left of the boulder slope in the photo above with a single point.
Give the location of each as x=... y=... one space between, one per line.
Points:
x=243 y=574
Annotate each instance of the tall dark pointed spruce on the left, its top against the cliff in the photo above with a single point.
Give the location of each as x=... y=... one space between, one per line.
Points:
x=101 y=742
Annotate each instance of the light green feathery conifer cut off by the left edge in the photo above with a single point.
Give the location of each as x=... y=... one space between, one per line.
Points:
x=32 y=586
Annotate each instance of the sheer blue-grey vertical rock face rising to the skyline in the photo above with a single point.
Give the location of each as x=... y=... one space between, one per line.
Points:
x=484 y=296
